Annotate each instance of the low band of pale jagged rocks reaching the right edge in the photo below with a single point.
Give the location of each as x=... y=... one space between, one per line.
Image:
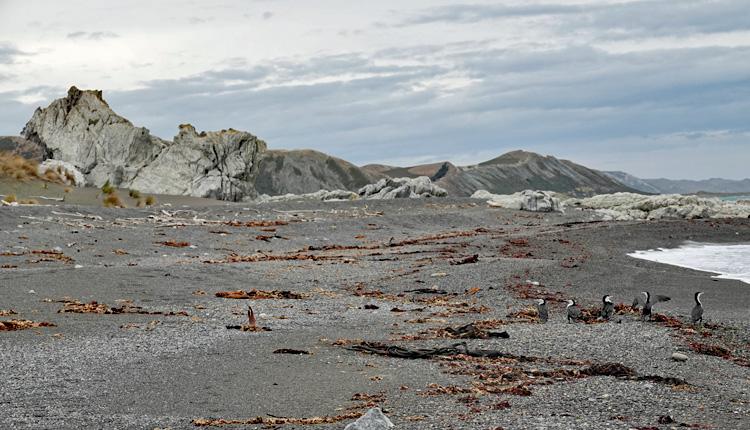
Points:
x=630 y=206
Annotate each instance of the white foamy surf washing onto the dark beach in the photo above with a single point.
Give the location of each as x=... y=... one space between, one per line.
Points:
x=728 y=261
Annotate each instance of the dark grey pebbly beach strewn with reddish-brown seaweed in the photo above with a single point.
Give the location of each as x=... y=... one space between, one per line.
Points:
x=149 y=371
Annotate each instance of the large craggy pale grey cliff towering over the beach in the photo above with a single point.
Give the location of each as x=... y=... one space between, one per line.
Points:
x=83 y=130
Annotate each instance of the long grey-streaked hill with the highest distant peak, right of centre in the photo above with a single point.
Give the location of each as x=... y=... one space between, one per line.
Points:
x=511 y=172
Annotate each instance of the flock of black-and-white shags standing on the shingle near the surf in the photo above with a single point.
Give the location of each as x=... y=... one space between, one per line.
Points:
x=608 y=308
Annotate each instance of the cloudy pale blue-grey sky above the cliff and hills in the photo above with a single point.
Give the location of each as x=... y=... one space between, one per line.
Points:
x=652 y=87
